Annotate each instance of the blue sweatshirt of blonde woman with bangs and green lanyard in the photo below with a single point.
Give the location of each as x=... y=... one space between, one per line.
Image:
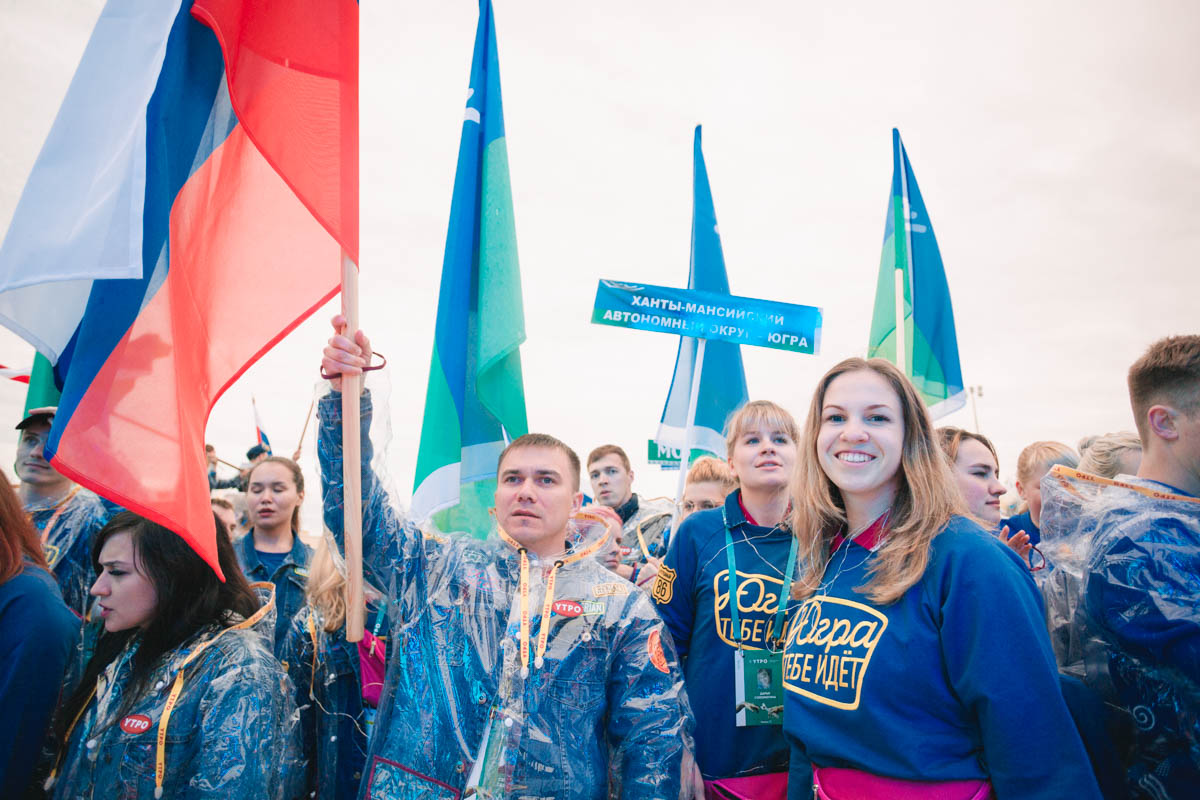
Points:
x=692 y=593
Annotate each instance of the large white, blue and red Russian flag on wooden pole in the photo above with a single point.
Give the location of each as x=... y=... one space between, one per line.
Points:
x=190 y=208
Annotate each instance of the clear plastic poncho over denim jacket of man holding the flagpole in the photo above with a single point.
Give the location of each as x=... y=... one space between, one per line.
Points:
x=602 y=713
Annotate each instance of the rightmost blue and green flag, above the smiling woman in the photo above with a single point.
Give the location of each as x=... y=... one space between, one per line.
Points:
x=913 y=263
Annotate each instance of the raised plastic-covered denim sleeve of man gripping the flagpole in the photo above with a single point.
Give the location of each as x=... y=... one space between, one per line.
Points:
x=393 y=550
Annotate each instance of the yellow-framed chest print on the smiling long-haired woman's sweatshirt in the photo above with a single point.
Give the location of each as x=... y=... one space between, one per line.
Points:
x=830 y=647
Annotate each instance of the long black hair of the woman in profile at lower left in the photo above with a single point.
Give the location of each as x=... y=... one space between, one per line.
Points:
x=190 y=598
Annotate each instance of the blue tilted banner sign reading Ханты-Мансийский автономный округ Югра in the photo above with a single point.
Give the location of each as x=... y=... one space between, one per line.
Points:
x=709 y=316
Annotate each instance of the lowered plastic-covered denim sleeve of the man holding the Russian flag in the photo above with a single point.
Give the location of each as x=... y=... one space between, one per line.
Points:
x=651 y=721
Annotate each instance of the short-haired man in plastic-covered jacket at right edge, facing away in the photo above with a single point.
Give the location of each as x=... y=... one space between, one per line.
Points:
x=1142 y=598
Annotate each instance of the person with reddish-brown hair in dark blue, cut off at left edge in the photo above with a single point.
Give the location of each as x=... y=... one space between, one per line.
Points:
x=38 y=633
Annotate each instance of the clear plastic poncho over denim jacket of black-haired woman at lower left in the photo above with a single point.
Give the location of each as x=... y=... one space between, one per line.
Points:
x=232 y=732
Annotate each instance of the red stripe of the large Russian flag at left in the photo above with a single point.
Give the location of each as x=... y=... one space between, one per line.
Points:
x=268 y=215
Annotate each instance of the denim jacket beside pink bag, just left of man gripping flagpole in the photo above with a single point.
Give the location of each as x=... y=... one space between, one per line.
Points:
x=326 y=670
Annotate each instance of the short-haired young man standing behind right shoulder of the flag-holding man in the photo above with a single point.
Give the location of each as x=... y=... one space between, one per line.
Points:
x=646 y=521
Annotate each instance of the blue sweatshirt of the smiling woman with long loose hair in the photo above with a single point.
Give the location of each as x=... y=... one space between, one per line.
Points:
x=953 y=682
